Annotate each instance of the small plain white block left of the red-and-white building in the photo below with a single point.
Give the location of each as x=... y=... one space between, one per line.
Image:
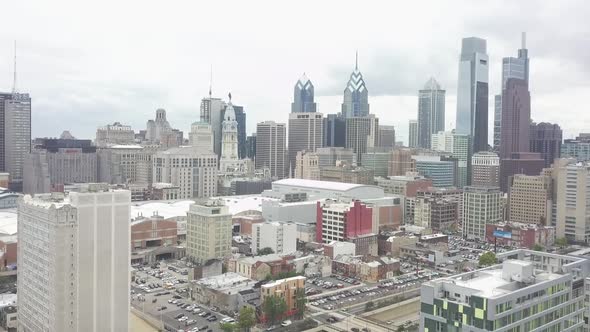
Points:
x=280 y=237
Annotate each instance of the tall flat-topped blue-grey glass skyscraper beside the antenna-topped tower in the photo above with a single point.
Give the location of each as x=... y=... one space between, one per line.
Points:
x=472 y=92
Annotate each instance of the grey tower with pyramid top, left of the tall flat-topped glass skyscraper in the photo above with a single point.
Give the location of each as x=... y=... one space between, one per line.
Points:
x=431 y=112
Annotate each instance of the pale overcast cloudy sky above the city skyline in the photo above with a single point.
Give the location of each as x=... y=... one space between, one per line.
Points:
x=89 y=64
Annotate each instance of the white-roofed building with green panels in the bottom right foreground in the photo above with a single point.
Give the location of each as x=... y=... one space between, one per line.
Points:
x=526 y=281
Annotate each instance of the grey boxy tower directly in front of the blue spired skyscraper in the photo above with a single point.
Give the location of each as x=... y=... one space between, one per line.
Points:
x=361 y=133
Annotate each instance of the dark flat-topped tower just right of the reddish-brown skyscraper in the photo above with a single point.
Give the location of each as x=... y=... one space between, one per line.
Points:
x=546 y=139
